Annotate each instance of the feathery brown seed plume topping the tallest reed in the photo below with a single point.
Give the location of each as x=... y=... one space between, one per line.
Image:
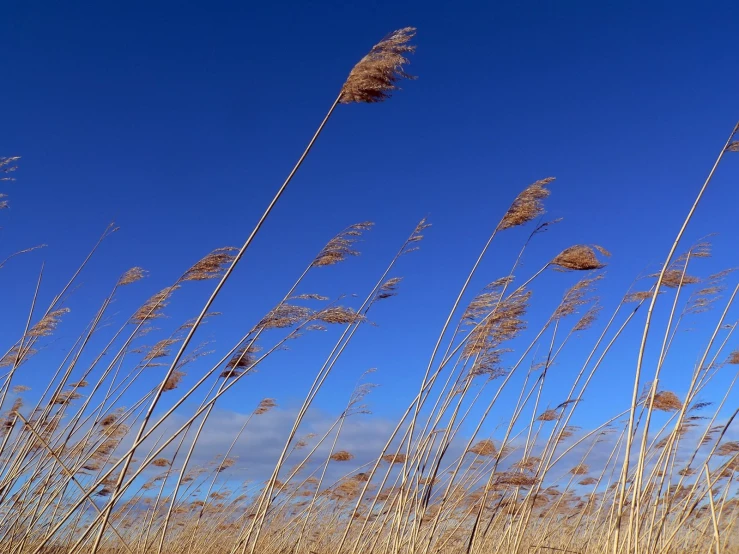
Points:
x=375 y=76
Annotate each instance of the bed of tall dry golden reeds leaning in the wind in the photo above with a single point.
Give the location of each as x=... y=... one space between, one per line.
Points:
x=81 y=472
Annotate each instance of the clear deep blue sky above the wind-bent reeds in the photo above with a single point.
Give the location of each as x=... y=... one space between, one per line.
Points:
x=179 y=120
